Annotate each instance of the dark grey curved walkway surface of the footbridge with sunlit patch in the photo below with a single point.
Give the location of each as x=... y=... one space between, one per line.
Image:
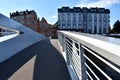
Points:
x=40 y=61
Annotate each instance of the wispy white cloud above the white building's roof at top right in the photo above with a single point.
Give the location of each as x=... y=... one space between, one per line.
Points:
x=97 y=3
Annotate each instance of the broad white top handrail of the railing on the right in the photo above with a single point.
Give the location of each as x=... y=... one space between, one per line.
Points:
x=99 y=46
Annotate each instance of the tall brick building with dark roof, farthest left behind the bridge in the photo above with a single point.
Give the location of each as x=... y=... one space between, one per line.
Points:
x=27 y=18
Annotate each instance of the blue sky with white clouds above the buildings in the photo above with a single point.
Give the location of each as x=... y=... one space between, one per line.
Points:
x=48 y=8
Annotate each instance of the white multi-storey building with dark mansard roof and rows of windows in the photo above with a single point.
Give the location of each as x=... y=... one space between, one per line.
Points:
x=93 y=20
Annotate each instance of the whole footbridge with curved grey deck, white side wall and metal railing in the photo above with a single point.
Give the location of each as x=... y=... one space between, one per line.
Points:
x=28 y=55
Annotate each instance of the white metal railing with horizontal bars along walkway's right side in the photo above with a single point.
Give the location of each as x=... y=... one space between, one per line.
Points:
x=91 y=58
